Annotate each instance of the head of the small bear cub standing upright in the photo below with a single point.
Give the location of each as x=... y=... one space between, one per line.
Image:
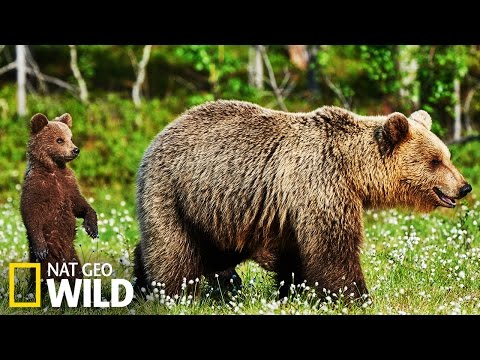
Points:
x=51 y=141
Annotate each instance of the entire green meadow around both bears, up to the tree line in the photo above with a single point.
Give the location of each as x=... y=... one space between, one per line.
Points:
x=413 y=263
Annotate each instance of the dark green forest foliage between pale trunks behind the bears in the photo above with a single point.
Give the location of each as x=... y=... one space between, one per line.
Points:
x=367 y=78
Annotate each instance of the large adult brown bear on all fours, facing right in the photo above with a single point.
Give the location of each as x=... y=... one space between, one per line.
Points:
x=230 y=181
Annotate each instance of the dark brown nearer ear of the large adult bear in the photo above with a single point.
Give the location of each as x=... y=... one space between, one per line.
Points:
x=392 y=133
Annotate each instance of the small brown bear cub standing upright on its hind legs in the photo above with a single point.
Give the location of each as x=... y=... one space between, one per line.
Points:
x=51 y=199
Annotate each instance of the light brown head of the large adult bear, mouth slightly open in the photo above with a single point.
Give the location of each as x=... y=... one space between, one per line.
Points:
x=423 y=174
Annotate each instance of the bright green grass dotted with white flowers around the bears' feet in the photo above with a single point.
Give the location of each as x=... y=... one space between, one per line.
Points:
x=414 y=264
